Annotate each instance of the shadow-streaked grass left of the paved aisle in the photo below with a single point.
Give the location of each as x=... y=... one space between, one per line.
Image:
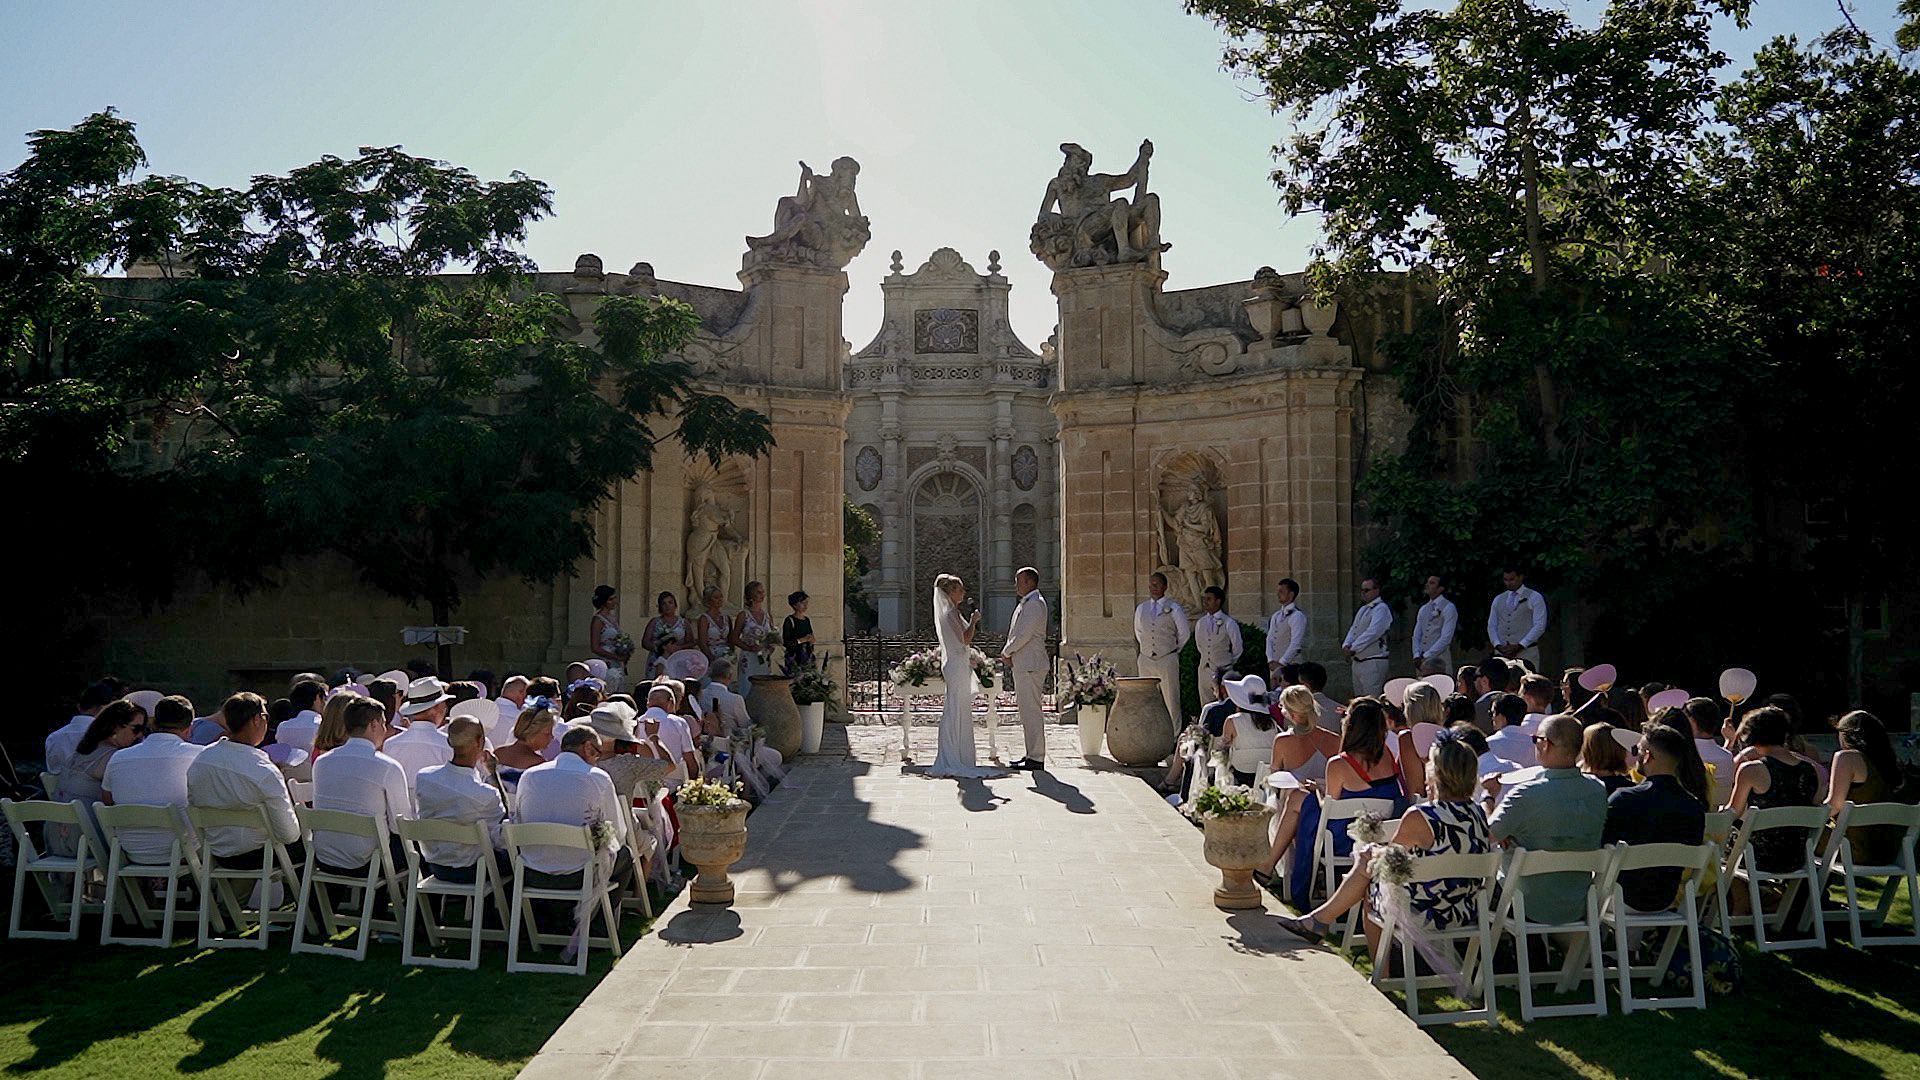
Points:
x=82 y=1010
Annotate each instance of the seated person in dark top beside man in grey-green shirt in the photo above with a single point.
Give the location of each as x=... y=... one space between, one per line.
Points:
x=1668 y=808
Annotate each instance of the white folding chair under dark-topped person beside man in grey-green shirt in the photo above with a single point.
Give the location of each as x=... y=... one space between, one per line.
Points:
x=1679 y=920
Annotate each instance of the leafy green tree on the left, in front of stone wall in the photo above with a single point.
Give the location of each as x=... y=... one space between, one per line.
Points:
x=347 y=395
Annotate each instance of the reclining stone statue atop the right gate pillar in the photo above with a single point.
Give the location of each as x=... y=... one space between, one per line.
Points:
x=1093 y=230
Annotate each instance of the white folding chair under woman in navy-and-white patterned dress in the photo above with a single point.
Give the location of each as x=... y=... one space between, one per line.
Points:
x=1470 y=948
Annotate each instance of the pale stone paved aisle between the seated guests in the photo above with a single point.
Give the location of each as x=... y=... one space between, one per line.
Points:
x=1038 y=927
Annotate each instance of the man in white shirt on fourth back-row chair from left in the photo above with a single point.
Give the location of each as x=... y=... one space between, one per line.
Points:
x=358 y=777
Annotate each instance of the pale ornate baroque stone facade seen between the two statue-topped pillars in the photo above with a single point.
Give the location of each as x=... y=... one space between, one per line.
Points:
x=951 y=445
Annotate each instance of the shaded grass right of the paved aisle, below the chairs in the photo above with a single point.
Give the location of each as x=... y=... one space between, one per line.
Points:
x=1821 y=1014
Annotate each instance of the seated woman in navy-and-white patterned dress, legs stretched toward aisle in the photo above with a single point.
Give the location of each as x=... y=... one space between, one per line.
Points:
x=1451 y=823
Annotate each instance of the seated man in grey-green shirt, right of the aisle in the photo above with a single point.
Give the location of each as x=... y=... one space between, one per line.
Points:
x=1562 y=810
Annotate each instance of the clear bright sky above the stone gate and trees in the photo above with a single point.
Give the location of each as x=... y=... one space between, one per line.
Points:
x=669 y=132
